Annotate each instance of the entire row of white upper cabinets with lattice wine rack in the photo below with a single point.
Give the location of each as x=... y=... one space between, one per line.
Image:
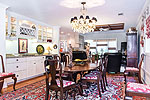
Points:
x=18 y=27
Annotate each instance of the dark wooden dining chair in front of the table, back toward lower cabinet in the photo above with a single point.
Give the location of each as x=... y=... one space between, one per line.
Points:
x=57 y=84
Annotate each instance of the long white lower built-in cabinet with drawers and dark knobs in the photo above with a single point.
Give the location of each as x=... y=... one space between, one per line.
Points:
x=25 y=67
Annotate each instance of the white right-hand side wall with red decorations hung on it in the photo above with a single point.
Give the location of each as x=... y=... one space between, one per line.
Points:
x=146 y=49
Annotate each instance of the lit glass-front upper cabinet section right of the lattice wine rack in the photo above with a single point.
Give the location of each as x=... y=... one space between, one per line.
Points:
x=44 y=34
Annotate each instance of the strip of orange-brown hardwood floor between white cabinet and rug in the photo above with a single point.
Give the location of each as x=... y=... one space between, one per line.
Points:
x=22 y=84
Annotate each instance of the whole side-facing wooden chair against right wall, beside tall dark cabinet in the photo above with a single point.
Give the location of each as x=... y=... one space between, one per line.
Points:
x=134 y=70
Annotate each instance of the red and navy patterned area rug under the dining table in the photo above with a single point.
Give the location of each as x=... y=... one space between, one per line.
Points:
x=36 y=91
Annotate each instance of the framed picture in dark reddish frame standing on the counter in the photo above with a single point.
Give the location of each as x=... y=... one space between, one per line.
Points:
x=23 y=45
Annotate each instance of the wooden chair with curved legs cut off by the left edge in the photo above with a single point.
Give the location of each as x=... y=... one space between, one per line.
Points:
x=4 y=75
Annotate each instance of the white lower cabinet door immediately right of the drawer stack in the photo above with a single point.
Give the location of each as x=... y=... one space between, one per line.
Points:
x=31 y=68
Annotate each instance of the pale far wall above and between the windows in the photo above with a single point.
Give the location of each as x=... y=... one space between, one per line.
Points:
x=119 y=35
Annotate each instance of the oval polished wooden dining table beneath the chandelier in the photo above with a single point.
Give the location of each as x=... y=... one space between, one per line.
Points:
x=79 y=69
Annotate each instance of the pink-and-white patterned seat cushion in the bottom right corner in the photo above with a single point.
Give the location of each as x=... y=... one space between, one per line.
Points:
x=137 y=87
